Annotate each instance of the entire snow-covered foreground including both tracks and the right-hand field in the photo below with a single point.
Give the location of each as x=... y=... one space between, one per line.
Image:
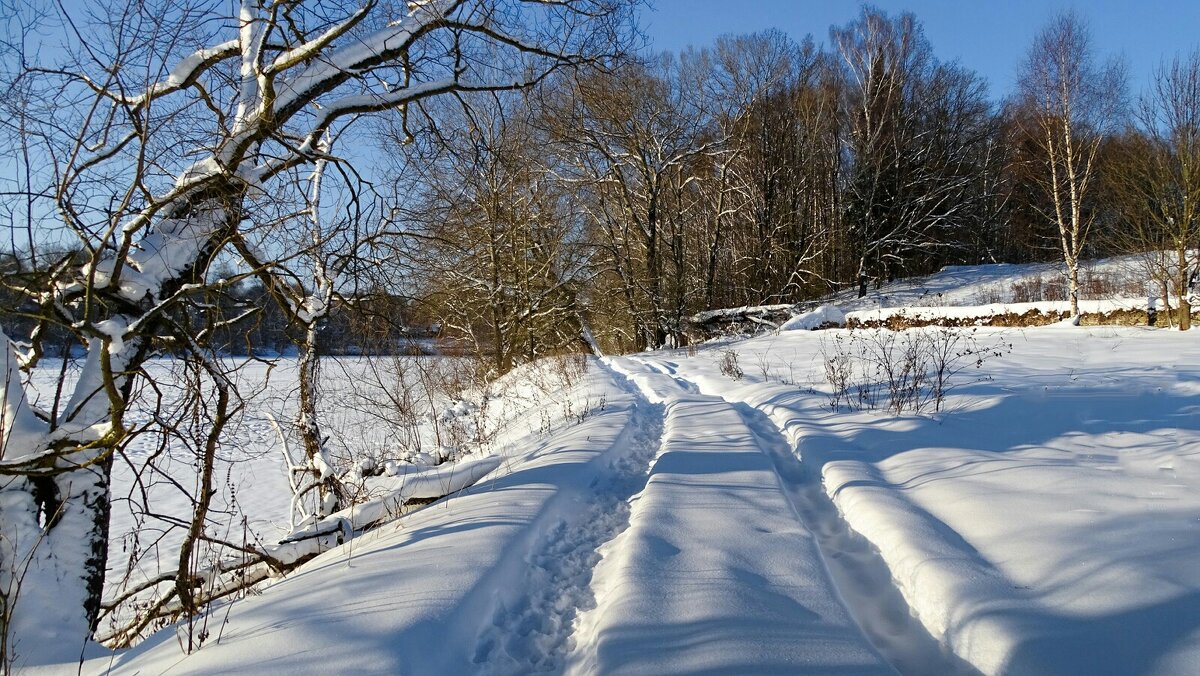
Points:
x=663 y=515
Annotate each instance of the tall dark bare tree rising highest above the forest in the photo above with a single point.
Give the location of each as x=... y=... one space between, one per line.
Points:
x=917 y=134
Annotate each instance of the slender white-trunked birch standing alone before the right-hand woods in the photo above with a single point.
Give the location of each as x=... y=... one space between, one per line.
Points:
x=1075 y=101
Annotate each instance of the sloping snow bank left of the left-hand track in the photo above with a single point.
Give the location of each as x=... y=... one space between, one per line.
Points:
x=440 y=593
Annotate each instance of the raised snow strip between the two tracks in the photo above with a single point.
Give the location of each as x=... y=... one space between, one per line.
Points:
x=715 y=573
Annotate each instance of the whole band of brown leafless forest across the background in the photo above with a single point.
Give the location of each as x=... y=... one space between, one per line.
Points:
x=614 y=204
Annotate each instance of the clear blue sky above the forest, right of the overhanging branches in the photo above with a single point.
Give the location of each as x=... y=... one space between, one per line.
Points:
x=989 y=37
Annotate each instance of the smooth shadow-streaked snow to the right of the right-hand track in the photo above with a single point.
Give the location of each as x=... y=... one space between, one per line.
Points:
x=1048 y=522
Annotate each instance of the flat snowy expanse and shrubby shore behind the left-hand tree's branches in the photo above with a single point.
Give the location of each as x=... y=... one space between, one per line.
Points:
x=155 y=480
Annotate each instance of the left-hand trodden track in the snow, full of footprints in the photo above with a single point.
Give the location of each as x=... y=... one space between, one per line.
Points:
x=537 y=633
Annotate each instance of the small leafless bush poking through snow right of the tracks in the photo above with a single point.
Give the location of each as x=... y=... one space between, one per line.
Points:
x=899 y=372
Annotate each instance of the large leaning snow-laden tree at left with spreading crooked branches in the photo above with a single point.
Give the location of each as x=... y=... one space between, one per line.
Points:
x=163 y=175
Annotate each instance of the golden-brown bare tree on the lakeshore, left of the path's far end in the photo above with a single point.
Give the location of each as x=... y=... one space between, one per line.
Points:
x=500 y=260
